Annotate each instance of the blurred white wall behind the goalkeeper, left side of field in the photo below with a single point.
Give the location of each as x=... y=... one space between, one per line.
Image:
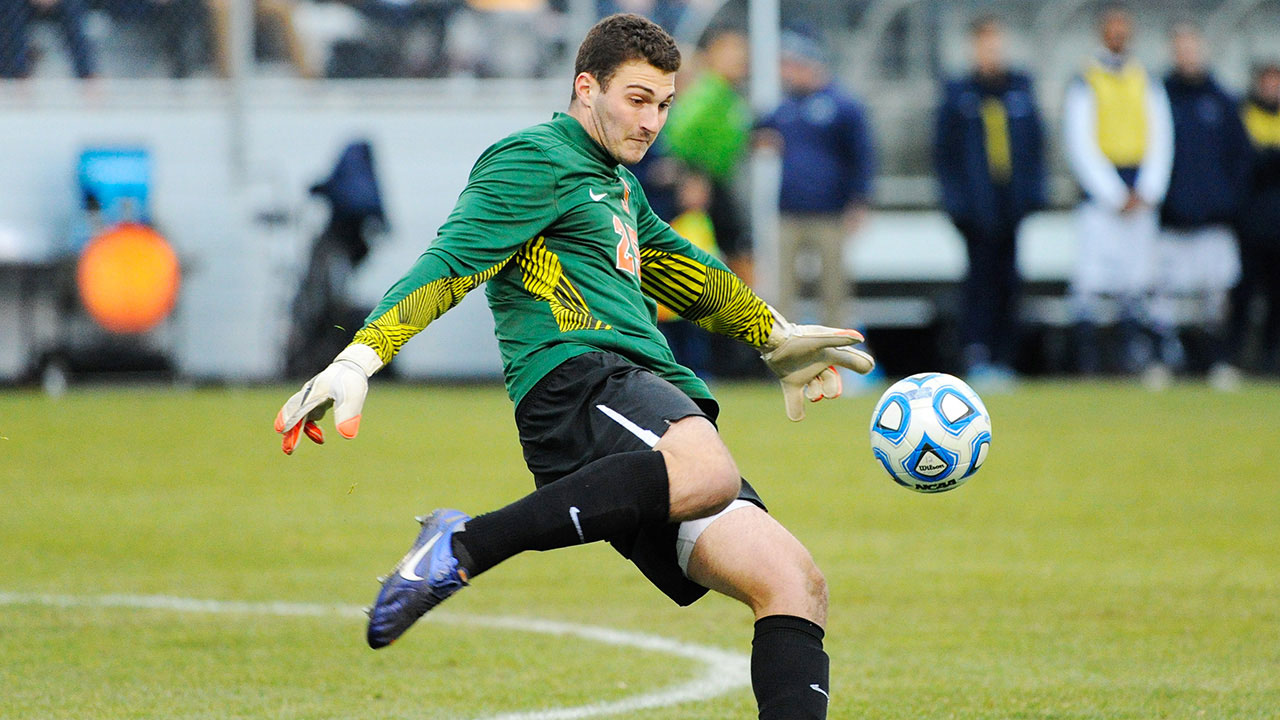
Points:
x=240 y=274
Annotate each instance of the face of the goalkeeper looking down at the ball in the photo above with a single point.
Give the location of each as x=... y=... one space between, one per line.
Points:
x=625 y=119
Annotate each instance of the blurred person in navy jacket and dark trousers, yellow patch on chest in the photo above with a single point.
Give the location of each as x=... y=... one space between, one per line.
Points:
x=990 y=157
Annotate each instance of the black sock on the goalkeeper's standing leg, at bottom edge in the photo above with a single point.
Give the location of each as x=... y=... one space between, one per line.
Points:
x=790 y=672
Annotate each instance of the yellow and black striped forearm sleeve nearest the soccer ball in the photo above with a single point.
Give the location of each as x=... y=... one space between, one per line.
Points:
x=714 y=299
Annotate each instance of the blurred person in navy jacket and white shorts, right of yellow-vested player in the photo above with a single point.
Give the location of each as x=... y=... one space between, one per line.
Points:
x=1197 y=262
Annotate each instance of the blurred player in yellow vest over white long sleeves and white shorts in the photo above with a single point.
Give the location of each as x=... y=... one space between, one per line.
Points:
x=1119 y=142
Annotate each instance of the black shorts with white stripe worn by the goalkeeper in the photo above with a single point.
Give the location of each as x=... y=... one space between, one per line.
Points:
x=563 y=430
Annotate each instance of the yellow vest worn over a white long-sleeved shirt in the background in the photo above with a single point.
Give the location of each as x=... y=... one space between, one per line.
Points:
x=1122 y=112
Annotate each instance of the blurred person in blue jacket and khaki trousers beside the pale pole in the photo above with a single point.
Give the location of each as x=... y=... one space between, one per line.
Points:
x=828 y=168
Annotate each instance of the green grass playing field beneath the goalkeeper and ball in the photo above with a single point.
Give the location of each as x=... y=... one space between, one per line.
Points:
x=1119 y=558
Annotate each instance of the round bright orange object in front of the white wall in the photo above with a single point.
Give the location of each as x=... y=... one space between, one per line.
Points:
x=129 y=279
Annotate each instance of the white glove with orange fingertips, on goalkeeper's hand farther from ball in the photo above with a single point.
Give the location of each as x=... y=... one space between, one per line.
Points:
x=344 y=385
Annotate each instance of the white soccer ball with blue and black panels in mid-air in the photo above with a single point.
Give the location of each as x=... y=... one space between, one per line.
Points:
x=931 y=432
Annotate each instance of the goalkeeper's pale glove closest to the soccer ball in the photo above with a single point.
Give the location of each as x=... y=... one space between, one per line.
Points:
x=804 y=358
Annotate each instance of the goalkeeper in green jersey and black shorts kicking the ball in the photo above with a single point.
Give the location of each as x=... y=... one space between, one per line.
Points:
x=620 y=439
